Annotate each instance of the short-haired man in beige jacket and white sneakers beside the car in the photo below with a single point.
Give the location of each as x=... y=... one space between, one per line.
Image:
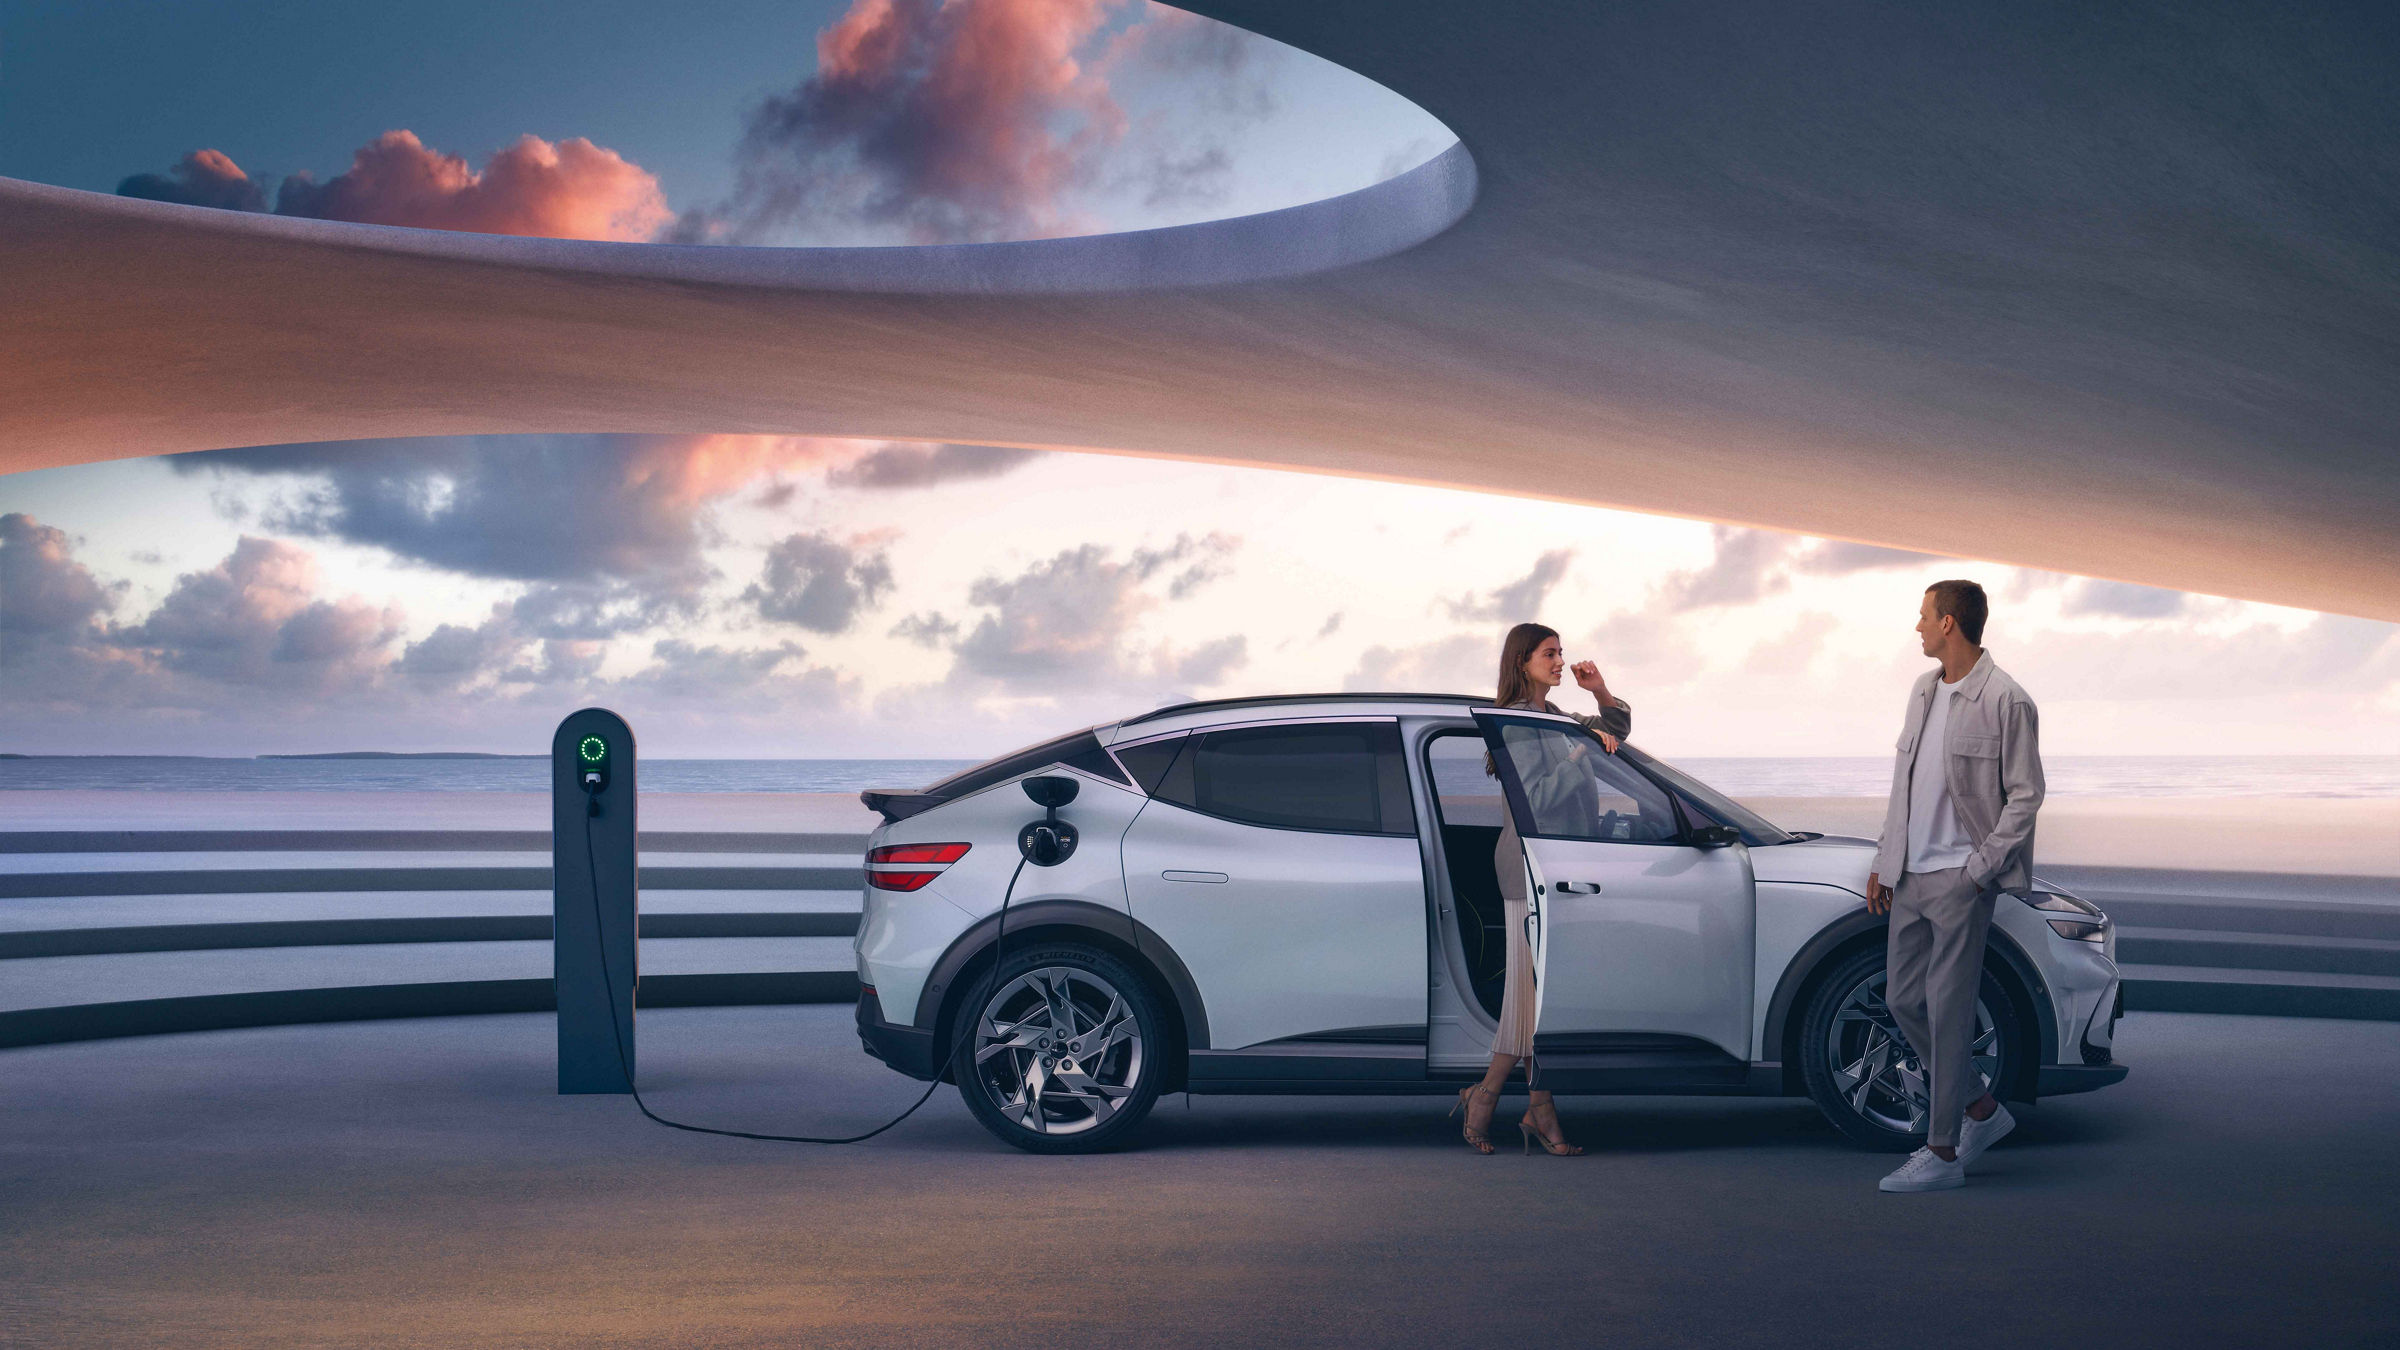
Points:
x=1957 y=835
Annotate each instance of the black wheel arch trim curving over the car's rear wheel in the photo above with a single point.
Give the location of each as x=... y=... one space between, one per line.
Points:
x=1069 y=921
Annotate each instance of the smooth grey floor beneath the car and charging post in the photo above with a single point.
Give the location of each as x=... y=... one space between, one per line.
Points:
x=416 y=1183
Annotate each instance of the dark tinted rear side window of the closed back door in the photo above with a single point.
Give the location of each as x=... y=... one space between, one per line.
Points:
x=1328 y=777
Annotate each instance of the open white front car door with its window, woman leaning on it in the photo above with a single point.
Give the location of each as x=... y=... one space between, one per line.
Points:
x=1643 y=933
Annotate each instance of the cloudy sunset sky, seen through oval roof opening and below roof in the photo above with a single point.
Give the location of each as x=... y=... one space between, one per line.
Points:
x=788 y=597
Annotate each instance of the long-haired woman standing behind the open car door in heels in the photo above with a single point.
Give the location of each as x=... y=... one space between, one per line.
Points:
x=1530 y=667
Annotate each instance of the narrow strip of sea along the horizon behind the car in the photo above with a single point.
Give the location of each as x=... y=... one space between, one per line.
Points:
x=1801 y=777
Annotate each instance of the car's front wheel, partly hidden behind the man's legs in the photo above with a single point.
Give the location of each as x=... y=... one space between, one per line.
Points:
x=1864 y=1073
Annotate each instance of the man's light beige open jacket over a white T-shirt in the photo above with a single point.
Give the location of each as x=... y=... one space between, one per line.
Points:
x=1996 y=777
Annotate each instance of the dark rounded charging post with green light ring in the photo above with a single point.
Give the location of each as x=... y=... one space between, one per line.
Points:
x=594 y=909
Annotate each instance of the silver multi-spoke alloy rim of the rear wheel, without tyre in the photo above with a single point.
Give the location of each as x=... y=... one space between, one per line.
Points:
x=1060 y=1051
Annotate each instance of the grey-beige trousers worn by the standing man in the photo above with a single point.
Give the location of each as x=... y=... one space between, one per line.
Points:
x=1933 y=972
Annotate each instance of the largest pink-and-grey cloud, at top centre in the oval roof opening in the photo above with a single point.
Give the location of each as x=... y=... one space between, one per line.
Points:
x=968 y=121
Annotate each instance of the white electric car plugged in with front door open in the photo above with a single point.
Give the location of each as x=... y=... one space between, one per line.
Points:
x=1297 y=895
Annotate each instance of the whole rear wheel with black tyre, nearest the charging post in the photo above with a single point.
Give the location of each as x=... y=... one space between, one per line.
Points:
x=1105 y=1099
